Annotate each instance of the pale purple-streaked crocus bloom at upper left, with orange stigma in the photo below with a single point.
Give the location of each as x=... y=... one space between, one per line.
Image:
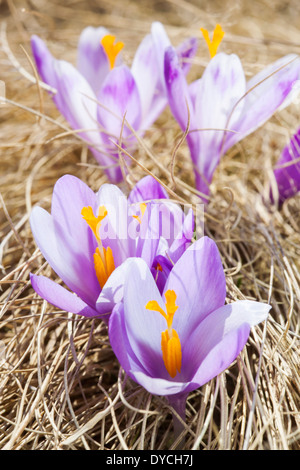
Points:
x=96 y=96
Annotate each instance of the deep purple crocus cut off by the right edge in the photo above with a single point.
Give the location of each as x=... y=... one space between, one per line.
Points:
x=287 y=169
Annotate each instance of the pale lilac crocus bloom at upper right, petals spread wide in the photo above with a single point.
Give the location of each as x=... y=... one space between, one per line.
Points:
x=223 y=107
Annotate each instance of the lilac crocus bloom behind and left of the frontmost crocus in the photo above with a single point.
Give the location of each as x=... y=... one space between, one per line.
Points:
x=89 y=238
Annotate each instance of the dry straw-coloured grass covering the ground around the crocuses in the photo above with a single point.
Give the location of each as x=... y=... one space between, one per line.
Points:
x=60 y=384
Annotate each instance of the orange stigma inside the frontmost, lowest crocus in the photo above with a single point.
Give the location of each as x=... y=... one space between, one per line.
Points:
x=170 y=342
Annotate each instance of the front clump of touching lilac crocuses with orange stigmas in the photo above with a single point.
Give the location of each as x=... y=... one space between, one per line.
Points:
x=171 y=334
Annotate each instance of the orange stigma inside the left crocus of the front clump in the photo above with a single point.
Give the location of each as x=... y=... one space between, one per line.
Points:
x=103 y=258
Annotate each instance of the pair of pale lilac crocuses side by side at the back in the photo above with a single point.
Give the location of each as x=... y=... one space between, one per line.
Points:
x=108 y=103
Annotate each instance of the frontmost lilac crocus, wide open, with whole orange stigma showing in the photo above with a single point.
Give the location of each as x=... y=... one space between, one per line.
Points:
x=173 y=343
